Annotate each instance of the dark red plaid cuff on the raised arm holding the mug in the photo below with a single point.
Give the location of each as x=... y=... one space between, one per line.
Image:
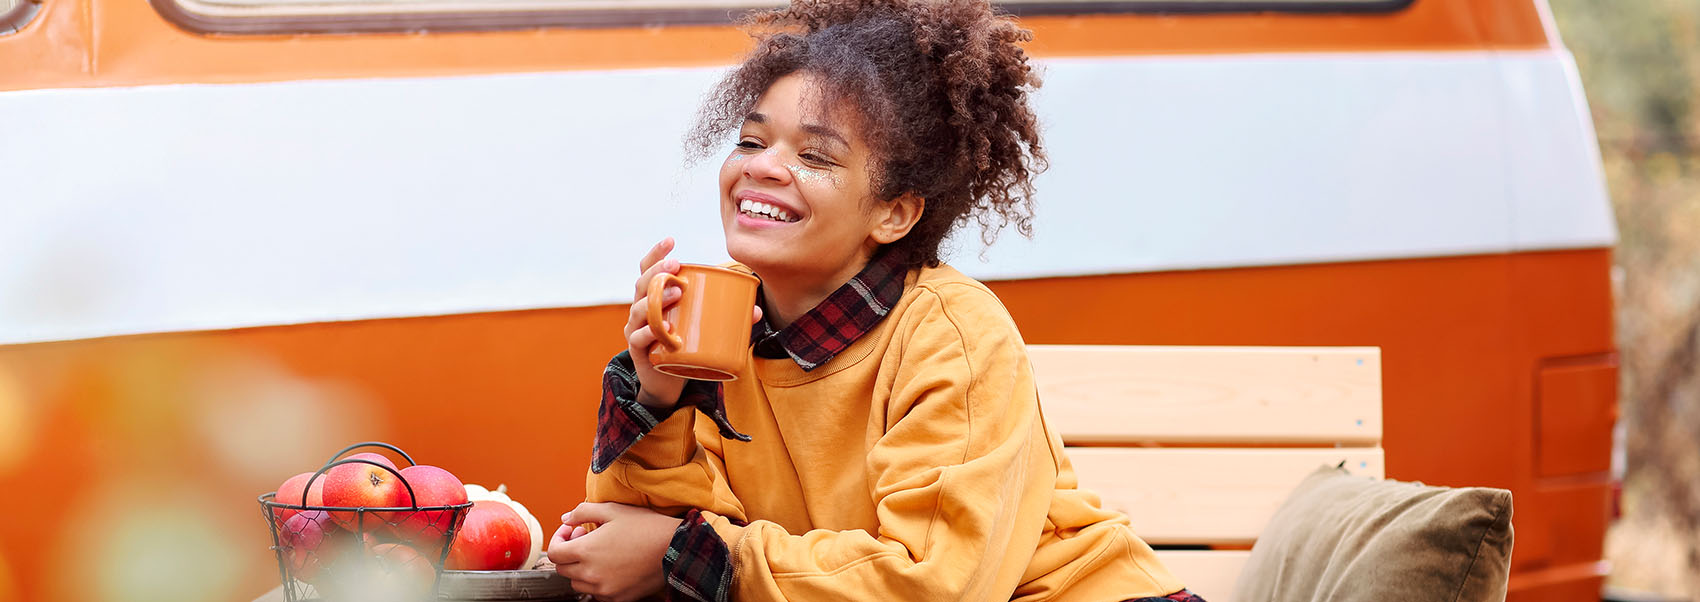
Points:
x=621 y=421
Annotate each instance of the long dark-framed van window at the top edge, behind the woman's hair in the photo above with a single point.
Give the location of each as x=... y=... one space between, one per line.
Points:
x=354 y=21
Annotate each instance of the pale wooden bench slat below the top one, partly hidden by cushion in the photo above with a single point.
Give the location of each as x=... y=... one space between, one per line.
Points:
x=1206 y=496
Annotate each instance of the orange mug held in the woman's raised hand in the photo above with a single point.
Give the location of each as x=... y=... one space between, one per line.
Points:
x=710 y=334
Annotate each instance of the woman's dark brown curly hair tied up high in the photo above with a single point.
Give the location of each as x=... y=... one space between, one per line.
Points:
x=939 y=89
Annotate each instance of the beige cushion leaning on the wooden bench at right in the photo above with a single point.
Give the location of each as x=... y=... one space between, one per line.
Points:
x=1349 y=538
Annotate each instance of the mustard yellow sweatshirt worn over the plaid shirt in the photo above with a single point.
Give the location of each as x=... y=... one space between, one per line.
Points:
x=915 y=465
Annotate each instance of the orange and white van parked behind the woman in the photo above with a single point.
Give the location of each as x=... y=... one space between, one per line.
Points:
x=241 y=234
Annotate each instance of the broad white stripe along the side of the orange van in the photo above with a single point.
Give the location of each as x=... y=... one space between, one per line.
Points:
x=213 y=207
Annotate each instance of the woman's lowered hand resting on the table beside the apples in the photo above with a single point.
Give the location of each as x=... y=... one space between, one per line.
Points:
x=621 y=560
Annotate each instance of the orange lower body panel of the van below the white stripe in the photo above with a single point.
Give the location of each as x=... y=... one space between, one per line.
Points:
x=513 y=397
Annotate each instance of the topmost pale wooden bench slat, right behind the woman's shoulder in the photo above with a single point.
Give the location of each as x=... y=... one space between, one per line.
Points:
x=1210 y=395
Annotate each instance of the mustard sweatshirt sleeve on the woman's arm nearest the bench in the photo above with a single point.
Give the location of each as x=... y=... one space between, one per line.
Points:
x=961 y=477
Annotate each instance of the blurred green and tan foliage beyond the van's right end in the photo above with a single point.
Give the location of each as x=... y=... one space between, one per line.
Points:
x=1640 y=62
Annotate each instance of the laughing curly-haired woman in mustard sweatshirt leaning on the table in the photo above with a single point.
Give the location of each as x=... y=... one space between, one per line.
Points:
x=885 y=440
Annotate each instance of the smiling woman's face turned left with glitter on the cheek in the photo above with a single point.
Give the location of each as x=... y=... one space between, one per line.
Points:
x=796 y=202
